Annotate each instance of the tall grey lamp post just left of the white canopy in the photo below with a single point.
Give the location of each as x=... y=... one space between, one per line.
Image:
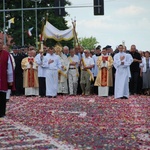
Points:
x=36 y=21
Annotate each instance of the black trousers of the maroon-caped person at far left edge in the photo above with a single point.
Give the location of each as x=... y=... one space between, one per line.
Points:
x=2 y=104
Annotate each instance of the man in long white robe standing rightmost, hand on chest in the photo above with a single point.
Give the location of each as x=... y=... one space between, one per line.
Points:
x=122 y=62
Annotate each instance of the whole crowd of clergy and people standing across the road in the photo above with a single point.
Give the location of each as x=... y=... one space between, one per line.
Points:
x=57 y=70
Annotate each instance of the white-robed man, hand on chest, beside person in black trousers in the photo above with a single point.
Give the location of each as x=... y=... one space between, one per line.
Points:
x=52 y=64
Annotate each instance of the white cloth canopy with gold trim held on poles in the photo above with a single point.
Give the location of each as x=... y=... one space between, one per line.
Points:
x=51 y=32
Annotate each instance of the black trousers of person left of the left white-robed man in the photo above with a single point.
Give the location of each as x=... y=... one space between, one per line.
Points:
x=42 y=86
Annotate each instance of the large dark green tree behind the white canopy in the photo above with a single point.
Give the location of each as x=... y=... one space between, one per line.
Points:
x=29 y=21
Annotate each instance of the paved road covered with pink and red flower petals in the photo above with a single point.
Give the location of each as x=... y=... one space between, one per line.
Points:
x=76 y=123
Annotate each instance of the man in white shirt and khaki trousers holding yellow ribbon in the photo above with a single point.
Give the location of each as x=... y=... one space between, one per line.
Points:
x=87 y=64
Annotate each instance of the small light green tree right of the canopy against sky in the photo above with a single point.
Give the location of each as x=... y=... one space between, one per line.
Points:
x=88 y=43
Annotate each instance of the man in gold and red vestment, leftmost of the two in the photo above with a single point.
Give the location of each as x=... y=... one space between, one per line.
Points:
x=30 y=80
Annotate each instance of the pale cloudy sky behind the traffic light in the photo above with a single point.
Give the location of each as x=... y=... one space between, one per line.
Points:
x=123 y=20
